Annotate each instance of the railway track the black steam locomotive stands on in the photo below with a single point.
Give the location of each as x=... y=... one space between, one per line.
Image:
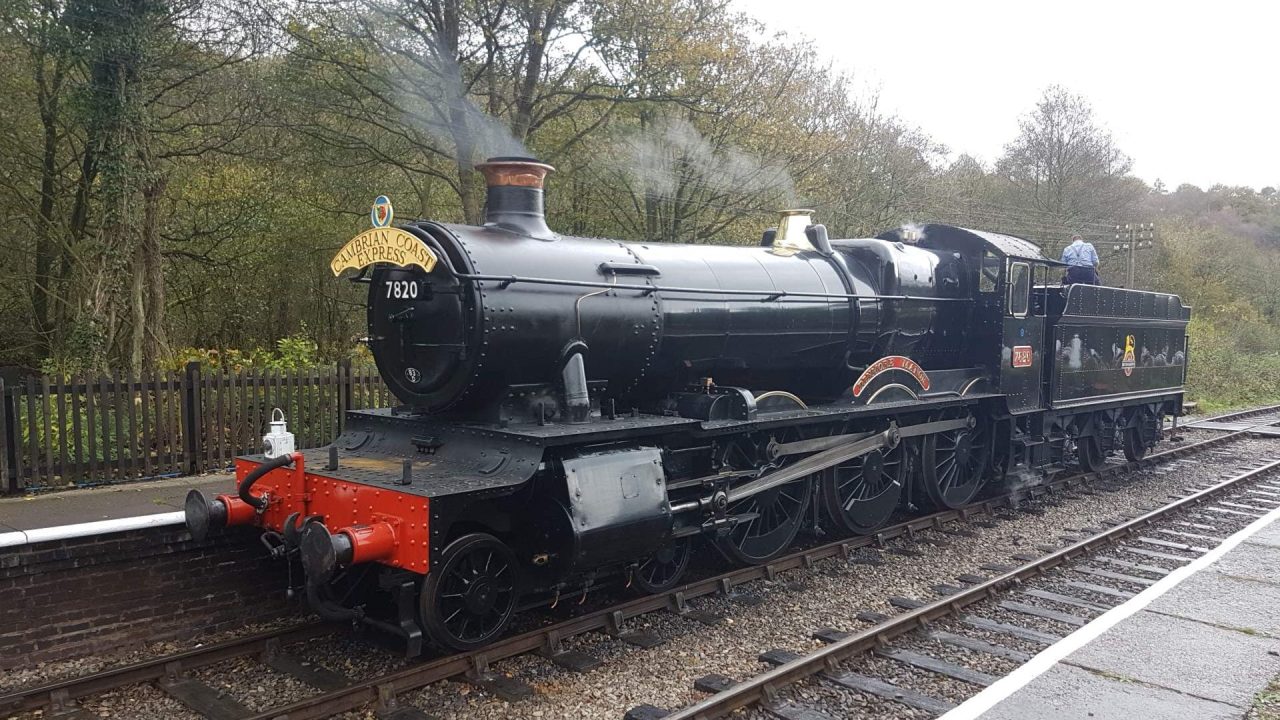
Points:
x=172 y=673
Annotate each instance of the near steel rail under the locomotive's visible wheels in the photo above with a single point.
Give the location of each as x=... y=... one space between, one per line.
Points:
x=383 y=690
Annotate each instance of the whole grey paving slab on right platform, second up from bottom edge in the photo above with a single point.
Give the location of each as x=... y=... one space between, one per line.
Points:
x=1186 y=657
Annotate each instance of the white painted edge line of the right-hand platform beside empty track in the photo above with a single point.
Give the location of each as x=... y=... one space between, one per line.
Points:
x=1050 y=657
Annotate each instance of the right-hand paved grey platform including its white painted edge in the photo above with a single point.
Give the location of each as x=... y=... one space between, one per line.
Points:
x=1200 y=645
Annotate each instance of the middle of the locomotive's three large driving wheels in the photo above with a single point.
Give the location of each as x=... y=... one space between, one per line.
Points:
x=861 y=495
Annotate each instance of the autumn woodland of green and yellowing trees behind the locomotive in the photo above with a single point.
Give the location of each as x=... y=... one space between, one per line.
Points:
x=208 y=163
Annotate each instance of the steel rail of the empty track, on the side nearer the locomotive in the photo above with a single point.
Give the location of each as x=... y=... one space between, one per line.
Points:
x=765 y=685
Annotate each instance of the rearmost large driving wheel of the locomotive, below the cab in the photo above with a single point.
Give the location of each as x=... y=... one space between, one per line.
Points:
x=954 y=466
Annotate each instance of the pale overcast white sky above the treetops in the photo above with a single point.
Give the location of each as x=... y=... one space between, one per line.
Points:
x=1190 y=92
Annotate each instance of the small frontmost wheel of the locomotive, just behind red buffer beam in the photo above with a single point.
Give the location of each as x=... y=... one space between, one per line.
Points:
x=468 y=601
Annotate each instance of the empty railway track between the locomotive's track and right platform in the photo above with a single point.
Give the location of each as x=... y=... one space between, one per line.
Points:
x=1007 y=617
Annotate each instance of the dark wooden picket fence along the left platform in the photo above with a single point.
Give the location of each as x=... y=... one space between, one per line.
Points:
x=92 y=431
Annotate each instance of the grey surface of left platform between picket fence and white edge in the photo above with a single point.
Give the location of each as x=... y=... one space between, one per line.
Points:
x=106 y=504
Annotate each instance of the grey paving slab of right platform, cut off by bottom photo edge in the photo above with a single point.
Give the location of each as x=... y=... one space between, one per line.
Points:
x=1072 y=694
